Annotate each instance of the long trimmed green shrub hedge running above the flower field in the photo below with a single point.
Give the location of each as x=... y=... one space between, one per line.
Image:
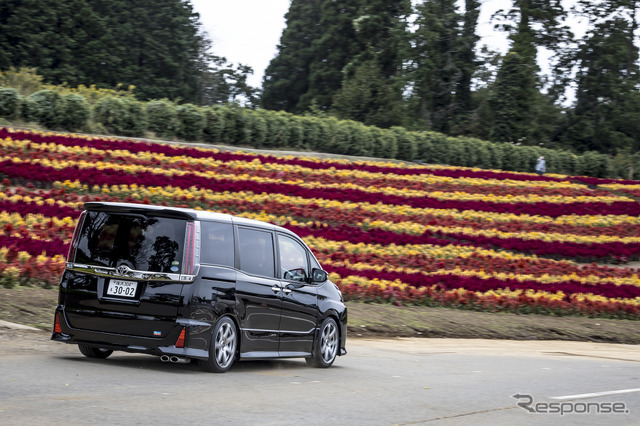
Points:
x=270 y=129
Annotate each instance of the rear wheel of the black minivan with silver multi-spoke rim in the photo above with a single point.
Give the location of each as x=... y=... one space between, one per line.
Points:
x=223 y=347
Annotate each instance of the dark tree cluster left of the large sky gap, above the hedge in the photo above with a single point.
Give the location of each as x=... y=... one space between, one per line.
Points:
x=155 y=45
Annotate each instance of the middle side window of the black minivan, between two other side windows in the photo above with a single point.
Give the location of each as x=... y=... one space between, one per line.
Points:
x=256 y=252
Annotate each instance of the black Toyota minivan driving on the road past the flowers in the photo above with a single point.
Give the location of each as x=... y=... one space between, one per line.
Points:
x=190 y=284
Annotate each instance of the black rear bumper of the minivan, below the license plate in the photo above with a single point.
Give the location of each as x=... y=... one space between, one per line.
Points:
x=195 y=332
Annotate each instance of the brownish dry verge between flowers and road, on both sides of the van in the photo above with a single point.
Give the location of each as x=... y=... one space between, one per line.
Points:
x=34 y=307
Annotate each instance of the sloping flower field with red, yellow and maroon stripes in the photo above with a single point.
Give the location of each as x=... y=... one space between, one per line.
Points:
x=405 y=234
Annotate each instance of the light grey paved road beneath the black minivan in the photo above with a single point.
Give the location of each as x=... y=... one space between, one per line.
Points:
x=380 y=382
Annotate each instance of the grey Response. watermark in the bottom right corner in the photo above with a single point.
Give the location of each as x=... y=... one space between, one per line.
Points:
x=527 y=403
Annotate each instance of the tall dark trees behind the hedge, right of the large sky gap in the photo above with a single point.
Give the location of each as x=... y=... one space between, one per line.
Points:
x=388 y=63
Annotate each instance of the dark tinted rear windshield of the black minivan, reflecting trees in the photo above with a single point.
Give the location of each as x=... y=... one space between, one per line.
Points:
x=143 y=243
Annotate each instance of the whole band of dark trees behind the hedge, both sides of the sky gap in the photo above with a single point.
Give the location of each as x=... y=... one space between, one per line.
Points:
x=387 y=63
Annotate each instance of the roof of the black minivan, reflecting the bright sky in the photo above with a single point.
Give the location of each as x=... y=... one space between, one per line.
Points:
x=179 y=213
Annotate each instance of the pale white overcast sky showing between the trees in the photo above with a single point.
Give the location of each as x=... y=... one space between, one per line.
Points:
x=248 y=31
